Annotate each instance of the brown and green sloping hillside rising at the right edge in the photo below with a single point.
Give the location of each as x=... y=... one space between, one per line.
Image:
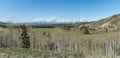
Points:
x=111 y=23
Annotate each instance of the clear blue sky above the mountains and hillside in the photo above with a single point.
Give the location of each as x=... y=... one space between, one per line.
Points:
x=29 y=10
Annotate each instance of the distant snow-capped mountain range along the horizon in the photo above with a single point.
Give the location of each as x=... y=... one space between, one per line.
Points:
x=53 y=20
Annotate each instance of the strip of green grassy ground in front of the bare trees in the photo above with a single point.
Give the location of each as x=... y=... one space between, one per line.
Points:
x=26 y=53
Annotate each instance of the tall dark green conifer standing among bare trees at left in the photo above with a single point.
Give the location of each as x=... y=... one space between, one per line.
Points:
x=25 y=41
